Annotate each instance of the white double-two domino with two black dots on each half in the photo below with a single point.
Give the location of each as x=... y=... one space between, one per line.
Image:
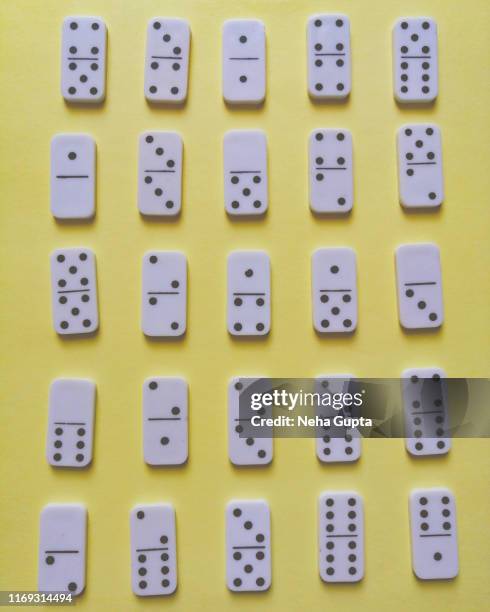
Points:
x=164 y=297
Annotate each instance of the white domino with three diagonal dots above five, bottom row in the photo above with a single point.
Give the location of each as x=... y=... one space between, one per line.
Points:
x=248 y=545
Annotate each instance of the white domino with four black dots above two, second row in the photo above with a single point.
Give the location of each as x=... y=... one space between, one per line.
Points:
x=331 y=171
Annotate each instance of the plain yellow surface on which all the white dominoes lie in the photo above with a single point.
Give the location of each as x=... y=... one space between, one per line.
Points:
x=119 y=357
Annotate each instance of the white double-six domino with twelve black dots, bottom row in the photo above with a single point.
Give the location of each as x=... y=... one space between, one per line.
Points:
x=341 y=536
